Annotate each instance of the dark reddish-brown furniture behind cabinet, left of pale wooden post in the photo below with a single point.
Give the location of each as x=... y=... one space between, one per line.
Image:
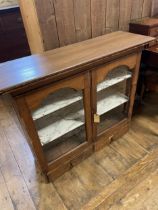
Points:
x=13 y=41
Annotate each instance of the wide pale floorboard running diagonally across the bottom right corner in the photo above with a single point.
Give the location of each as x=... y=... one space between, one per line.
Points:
x=118 y=189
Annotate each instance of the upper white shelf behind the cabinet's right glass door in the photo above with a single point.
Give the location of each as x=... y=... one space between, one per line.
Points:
x=113 y=78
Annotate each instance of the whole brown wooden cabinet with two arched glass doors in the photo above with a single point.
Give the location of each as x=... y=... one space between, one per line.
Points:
x=75 y=99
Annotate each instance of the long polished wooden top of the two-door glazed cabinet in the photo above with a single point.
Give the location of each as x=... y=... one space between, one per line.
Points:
x=28 y=70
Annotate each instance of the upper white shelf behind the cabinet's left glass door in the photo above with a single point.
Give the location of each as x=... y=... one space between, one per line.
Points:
x=56 y=101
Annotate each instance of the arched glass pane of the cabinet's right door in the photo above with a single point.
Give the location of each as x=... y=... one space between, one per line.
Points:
x=112 y=96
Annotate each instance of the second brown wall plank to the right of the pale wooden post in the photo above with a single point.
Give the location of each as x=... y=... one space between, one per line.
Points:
x=64 y=10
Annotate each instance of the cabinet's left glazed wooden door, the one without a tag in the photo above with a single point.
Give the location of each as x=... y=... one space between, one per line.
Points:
x=61 y=118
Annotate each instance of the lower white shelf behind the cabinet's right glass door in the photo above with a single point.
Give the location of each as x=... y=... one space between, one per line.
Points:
x=109 y=99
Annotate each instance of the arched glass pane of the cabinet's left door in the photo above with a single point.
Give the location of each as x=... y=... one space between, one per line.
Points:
x=60 y=122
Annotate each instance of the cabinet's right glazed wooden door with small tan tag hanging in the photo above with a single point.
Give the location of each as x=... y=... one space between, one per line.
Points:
x=112 y=88
